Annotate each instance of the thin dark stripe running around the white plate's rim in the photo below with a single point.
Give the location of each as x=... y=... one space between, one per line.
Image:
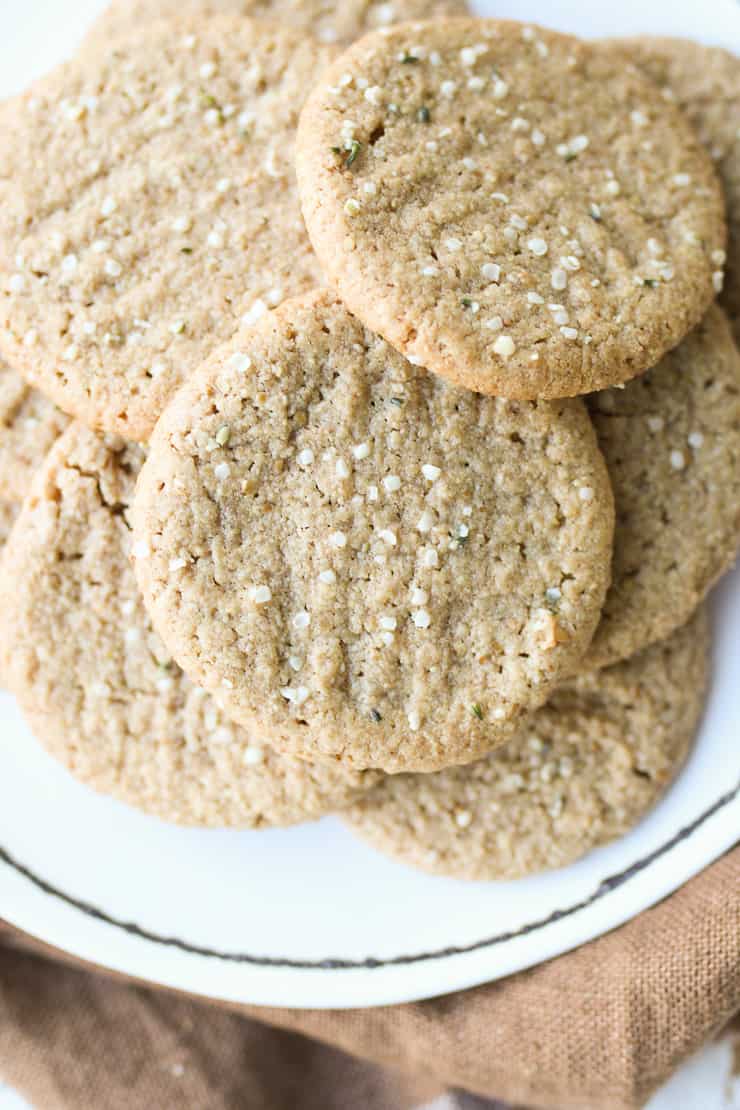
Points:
x=333 y=964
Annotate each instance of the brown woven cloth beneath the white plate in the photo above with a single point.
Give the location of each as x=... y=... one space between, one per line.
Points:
x=602 y=1027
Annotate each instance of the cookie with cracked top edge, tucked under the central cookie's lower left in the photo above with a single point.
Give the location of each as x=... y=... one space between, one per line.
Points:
x=97 y=684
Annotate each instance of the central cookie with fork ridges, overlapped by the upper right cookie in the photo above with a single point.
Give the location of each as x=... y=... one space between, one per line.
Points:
x=367 y=563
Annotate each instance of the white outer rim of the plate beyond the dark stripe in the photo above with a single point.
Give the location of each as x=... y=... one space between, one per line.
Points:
x=330 y=984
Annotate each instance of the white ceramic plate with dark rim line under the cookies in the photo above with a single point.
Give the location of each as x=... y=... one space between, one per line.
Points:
x=310 y=917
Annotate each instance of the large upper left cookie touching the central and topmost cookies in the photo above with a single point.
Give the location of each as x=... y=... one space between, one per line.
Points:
x=151 y=211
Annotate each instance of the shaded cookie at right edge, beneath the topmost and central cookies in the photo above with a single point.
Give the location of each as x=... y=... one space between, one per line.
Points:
x=672 y=441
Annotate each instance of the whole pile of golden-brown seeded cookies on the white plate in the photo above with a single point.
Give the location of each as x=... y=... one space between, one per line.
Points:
x=407 y=512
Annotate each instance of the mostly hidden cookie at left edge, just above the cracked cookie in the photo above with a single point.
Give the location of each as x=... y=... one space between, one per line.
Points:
x=29 y=426
